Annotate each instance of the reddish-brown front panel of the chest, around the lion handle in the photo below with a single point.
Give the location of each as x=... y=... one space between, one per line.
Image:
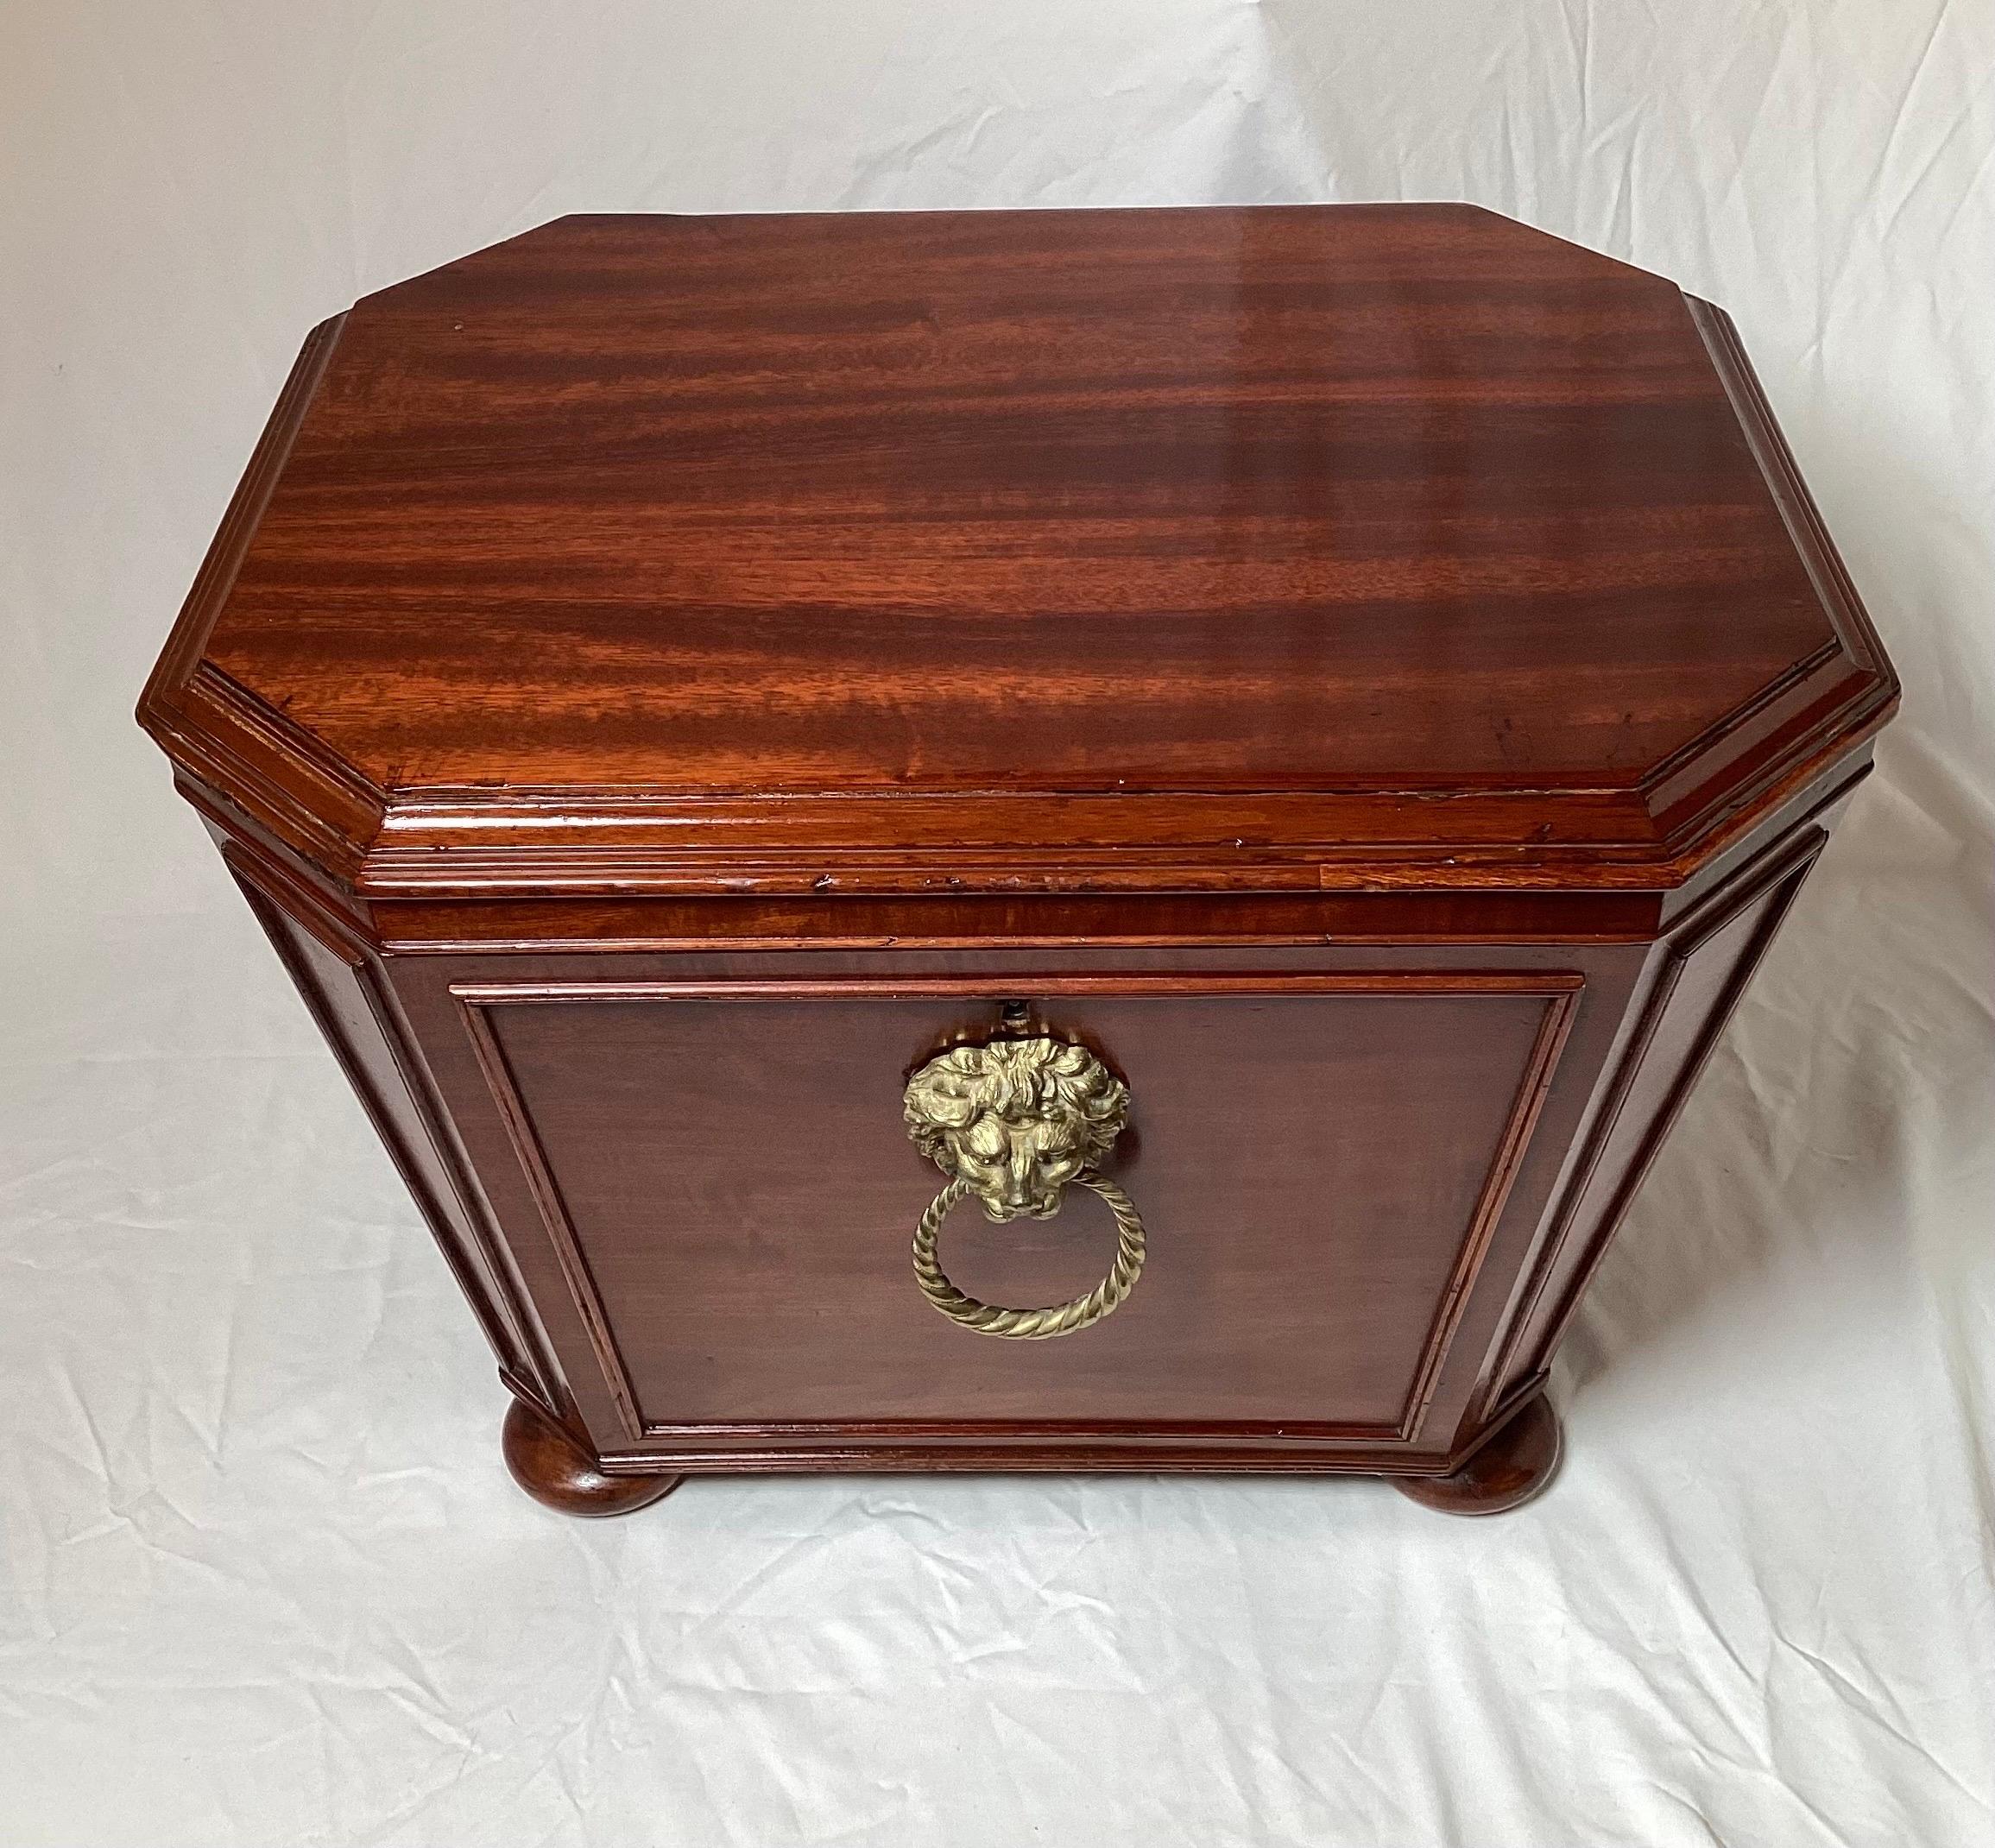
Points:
x=717 y=1170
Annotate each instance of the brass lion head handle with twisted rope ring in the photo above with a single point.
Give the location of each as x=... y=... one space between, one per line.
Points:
x=1012 y=1125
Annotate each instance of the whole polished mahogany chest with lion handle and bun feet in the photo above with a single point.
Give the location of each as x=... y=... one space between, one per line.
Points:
x=1256 y=745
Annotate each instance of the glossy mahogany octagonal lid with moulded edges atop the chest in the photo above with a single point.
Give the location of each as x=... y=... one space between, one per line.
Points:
x=1242 y=536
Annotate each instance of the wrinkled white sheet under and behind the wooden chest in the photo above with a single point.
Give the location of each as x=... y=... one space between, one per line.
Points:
x=264 y=1580
